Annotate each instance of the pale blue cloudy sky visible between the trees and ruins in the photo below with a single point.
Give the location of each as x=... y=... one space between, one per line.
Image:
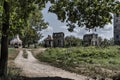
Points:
x=56 y=26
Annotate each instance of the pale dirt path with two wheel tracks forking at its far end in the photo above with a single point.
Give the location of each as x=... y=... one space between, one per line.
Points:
x=31 y=67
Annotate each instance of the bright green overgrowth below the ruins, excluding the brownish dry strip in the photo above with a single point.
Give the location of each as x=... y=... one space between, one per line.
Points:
x=76 y=56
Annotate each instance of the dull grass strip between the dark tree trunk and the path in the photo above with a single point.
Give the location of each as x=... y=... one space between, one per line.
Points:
x=13 y=71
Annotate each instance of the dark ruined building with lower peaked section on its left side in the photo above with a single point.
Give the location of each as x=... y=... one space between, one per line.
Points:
x=57 y=40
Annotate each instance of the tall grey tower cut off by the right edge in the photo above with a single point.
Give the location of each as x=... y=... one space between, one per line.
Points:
x=116 y=30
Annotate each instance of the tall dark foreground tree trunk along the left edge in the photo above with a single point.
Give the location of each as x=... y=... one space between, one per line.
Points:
x=4 y=42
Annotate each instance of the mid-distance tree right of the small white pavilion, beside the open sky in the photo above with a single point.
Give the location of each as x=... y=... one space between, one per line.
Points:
x=32 y=34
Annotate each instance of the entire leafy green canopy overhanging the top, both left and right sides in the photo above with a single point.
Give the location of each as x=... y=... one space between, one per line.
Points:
x=88 y=13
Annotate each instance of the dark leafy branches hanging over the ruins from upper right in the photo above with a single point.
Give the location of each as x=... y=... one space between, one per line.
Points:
x=88 y=13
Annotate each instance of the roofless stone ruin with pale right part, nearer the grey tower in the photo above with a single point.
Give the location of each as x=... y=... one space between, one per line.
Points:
x=90 y=39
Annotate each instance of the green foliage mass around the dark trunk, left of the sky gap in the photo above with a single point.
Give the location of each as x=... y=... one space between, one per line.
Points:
x=21 y=12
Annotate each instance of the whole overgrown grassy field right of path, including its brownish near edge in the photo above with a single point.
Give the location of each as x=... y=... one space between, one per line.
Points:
x=90 y=61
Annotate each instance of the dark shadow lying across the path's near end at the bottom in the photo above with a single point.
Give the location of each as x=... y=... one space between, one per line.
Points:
x=46 y=78
